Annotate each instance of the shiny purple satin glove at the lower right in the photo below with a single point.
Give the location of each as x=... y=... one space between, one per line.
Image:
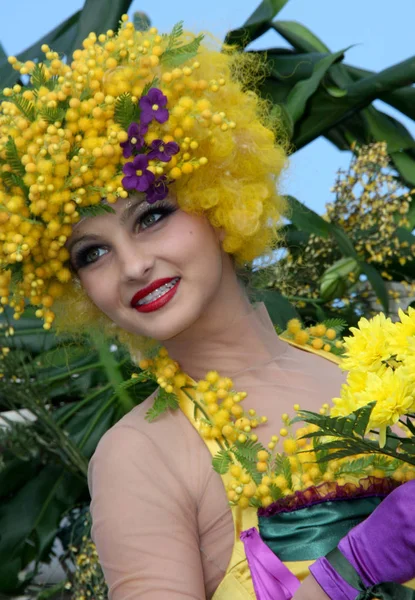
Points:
x=381 y=548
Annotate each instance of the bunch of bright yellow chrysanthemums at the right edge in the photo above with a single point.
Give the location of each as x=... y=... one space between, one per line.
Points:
x=380 y=358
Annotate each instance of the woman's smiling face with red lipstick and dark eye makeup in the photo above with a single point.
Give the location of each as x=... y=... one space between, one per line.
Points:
x=152 y=269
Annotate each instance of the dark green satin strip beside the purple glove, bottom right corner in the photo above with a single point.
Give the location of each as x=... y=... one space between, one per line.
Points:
x=383 y=591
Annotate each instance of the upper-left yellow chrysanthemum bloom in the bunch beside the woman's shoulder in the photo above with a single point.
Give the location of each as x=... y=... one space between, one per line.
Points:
x=369 y=345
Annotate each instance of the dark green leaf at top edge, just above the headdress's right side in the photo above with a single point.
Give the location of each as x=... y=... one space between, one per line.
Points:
x=256 y=25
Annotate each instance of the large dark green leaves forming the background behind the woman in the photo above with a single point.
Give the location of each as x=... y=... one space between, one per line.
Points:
x=75 y=388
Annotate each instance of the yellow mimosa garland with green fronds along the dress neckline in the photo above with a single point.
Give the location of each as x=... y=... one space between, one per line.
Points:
x=257 y=476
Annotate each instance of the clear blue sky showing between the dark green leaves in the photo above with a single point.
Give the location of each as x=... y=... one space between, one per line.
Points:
x=381 y=33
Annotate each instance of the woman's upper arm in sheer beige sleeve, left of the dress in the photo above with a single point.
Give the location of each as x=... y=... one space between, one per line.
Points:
x=144 y=522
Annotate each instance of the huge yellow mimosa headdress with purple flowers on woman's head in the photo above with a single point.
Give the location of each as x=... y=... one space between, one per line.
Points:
x=134 y=112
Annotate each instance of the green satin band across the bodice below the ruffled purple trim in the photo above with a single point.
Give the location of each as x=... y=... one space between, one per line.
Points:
x=311 y=532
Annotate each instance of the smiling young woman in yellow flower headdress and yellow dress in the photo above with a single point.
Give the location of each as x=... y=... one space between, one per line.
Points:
x=135 y=181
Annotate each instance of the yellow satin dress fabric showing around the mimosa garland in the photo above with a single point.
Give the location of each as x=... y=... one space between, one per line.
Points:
x=237 y=582
